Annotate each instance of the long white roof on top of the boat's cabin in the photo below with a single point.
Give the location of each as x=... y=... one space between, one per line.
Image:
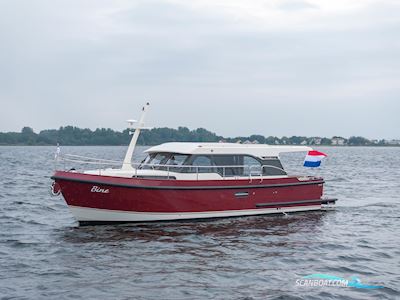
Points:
x=259 y=150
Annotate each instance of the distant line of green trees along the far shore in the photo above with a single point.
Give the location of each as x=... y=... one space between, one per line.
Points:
x=70 y=135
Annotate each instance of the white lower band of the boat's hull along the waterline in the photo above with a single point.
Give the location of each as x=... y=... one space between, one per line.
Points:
x=105 y=215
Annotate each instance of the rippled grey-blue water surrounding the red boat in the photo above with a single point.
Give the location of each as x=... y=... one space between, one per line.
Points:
x=44 y=254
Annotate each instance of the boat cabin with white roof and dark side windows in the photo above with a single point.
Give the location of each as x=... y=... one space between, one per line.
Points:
x=221 y=159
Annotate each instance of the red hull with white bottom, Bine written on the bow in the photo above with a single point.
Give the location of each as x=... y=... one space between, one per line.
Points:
x=95 y=198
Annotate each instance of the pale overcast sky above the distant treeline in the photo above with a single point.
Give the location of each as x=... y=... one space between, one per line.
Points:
x=235 y=67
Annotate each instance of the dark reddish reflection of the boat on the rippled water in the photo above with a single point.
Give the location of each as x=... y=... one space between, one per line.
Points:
x=242 y=227
